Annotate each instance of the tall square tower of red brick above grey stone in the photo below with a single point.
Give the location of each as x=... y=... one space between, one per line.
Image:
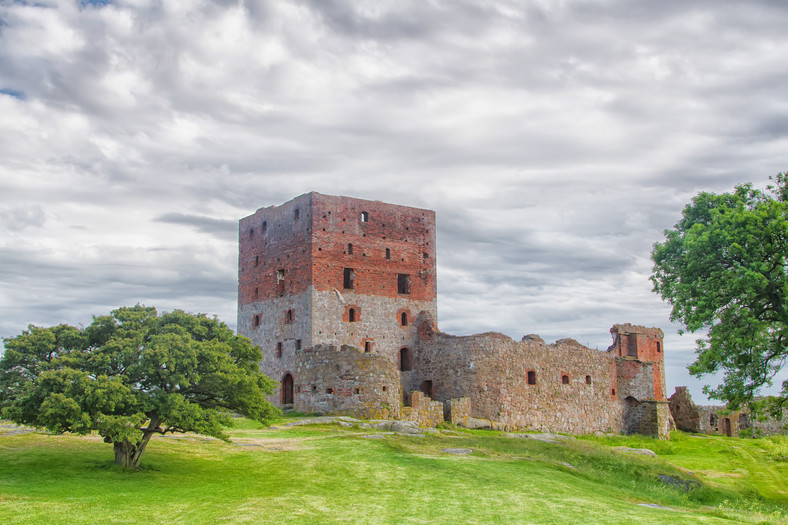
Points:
x=322 y=271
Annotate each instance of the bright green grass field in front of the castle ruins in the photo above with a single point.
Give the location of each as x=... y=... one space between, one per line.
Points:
x=327 y=474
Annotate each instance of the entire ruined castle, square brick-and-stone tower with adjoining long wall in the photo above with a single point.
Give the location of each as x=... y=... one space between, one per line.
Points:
x=340 y=295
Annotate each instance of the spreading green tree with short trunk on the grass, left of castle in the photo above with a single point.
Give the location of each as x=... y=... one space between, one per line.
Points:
x=133 y=374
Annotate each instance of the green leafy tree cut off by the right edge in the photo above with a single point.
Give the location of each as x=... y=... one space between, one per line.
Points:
x=723 y=269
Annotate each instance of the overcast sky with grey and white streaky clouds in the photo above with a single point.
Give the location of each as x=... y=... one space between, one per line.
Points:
x=555 y=139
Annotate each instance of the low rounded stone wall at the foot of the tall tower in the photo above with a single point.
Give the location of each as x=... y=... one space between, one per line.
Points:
x=345 y=380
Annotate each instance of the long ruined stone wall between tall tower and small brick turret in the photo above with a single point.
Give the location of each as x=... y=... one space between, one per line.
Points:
x=570 y=390
